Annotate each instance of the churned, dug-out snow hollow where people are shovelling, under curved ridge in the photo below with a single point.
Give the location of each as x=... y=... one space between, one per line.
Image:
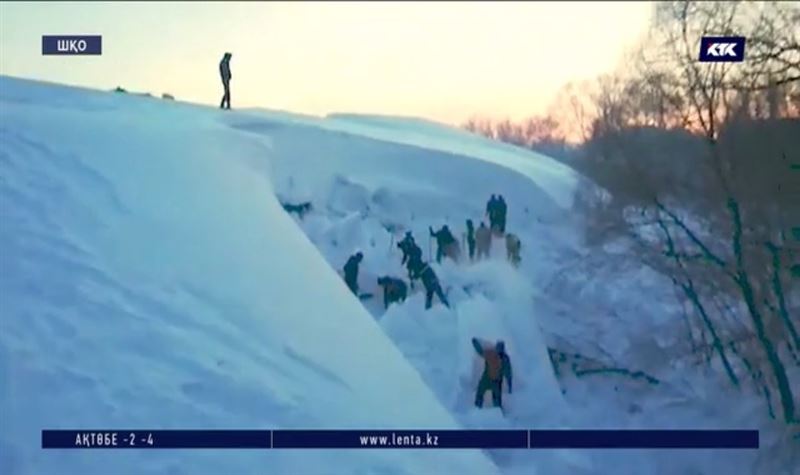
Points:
x=594 y=312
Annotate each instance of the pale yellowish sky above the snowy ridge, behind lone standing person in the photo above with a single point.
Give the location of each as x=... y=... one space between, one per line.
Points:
x=444 y=61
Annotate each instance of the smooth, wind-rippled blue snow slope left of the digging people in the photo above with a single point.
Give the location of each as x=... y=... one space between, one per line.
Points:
x=151 y=280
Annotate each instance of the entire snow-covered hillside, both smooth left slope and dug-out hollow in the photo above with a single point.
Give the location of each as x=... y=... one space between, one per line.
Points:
x=151 y=279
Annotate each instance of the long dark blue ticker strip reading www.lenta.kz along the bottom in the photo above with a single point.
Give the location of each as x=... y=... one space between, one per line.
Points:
x=400 y=439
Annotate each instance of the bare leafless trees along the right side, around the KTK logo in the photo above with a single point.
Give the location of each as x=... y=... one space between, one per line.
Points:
x=720 y=234
